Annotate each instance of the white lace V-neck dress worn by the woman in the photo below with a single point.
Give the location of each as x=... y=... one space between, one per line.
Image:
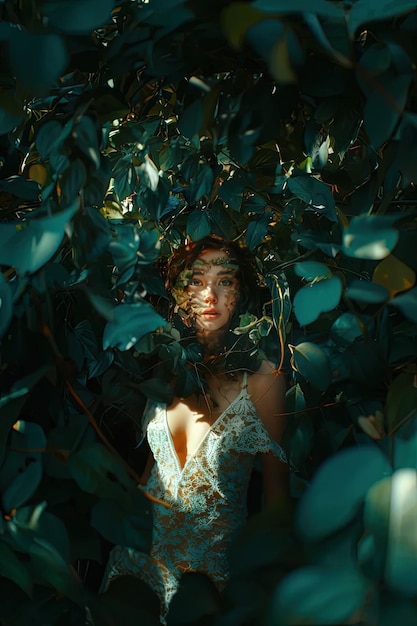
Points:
x=207 y=498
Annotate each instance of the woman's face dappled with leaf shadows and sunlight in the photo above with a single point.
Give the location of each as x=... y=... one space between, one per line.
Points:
x=213 y=290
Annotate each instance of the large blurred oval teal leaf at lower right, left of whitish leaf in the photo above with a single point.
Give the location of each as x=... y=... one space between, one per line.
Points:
x=338 y=489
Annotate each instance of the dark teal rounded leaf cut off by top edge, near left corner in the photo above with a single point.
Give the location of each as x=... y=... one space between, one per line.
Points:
x=77 y=16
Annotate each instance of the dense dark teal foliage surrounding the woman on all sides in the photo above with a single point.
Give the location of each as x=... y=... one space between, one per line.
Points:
x=126 y=126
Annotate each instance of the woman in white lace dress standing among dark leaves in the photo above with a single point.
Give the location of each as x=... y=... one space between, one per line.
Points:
x=203 y=446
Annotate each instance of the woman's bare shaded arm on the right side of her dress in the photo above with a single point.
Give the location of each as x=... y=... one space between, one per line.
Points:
x=267 y=389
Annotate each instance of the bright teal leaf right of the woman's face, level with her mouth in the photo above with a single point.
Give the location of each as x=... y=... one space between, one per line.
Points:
x=312 y=300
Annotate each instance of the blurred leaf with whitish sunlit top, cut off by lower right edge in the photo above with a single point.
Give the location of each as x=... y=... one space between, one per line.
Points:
x=401 y=564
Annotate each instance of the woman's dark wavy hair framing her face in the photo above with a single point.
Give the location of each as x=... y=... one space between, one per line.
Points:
x=233 y=352
